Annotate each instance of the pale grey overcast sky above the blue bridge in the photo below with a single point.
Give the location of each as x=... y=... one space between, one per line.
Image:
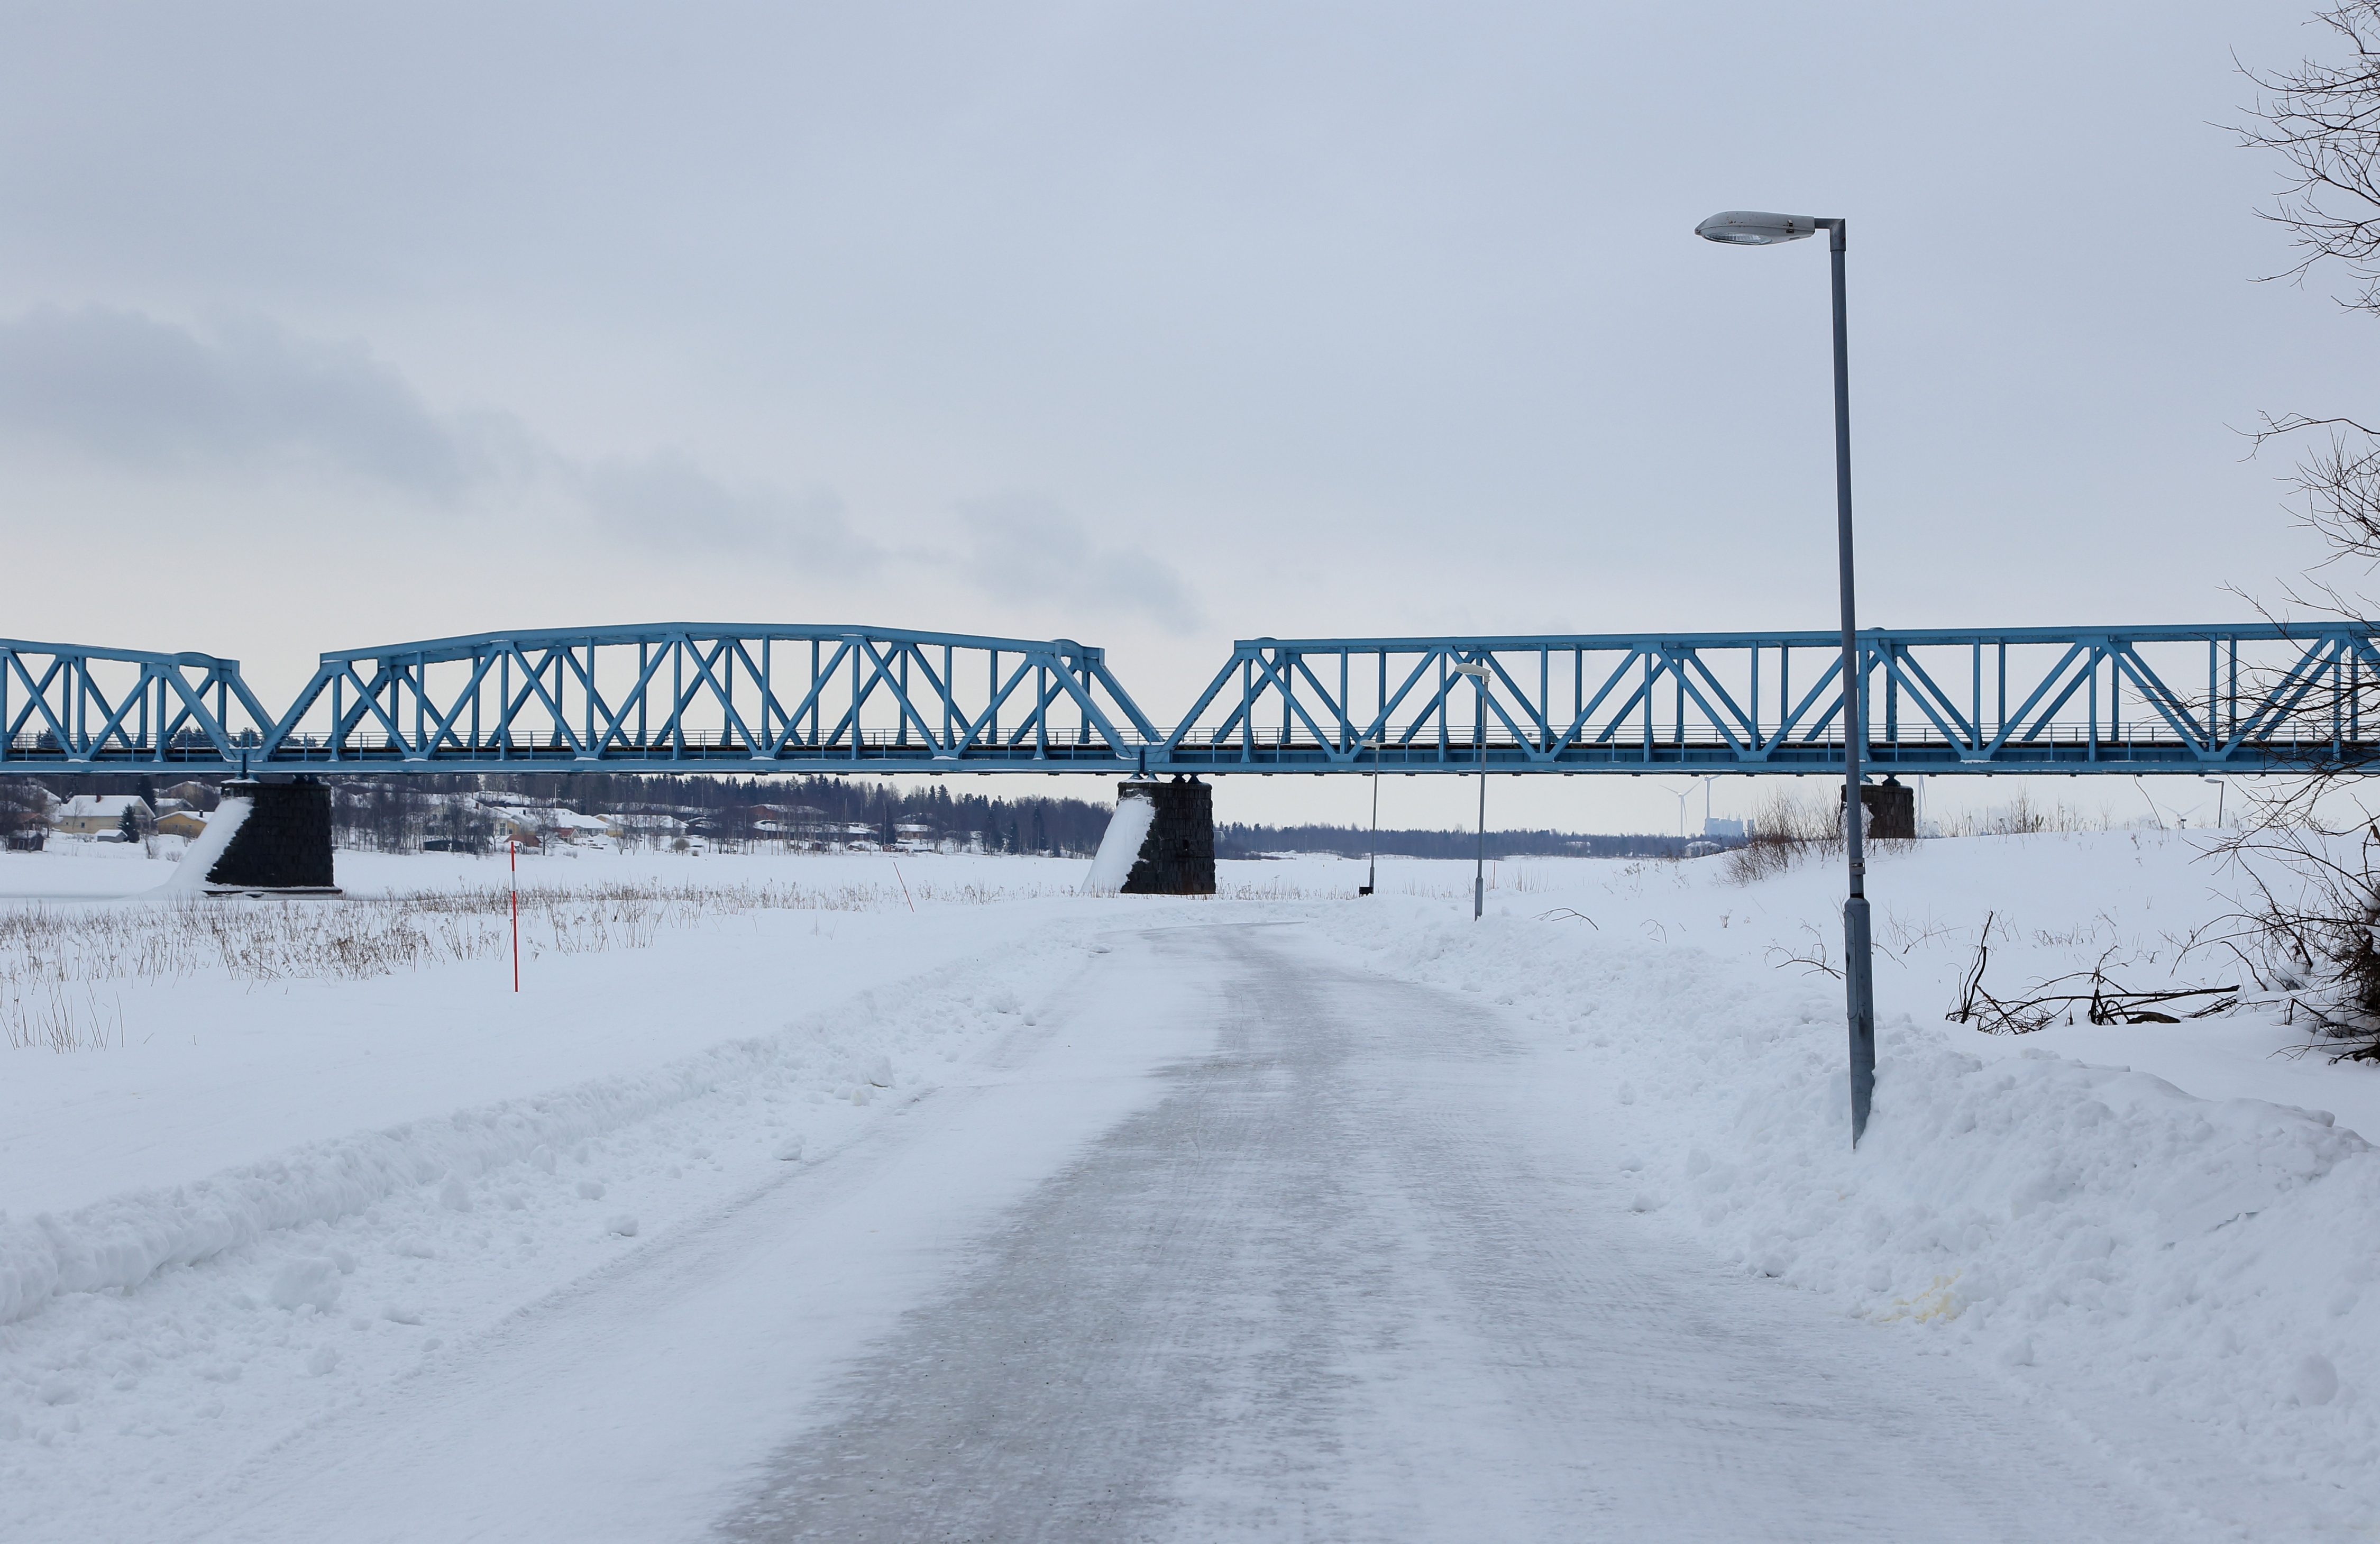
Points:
x=1141 y=325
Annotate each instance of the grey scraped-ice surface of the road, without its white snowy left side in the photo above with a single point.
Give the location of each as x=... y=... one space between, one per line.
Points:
x=1346 y=1279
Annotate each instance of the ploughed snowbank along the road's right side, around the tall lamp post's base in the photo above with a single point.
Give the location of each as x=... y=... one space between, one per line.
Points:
x=2074 y=1226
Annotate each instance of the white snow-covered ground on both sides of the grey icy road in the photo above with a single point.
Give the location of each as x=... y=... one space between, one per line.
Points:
x=296 y=1186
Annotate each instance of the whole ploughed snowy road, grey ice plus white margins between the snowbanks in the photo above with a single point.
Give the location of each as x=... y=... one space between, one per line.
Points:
x=1298 y=1255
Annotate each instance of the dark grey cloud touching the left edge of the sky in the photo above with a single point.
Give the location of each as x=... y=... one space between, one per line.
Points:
x=149 y=396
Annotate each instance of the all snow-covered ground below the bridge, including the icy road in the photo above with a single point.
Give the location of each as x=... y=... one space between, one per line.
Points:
x=1027 y=1217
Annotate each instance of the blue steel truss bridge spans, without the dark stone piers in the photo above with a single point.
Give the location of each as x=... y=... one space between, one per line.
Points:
x=2265 y=698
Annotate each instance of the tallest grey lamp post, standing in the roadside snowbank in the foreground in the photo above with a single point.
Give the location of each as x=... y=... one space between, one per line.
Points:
x=1755 y=230
